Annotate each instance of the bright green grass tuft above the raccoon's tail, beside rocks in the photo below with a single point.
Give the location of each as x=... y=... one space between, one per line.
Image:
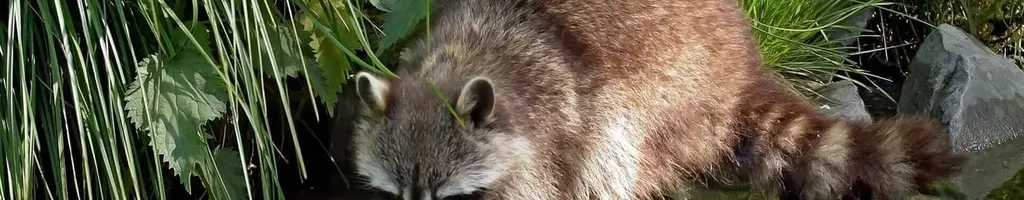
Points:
x=801 y=41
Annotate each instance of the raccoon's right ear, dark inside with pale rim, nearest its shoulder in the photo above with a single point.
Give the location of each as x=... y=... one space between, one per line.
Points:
x=477 y=101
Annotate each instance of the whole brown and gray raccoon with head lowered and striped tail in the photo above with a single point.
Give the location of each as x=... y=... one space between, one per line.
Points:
x=525 y=100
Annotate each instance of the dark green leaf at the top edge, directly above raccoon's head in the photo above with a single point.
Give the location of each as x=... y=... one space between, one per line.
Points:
x=399 y=23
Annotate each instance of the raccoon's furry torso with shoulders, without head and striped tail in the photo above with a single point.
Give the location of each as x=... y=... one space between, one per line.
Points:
x=617 y=97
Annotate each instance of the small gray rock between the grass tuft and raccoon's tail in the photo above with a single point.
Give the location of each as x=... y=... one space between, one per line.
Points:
x=844 y=102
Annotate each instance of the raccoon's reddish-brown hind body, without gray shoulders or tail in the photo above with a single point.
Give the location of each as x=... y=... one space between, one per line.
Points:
x=660 y=84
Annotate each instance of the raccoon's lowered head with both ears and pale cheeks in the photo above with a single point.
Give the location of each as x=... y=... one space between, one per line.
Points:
x=409 y=146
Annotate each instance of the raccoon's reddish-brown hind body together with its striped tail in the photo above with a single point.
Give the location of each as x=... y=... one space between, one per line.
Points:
x=674 y=90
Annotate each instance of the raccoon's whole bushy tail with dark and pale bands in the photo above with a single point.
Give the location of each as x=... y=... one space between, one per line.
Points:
x=822 y=158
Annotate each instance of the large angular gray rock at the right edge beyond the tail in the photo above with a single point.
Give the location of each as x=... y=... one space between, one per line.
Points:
x=979 y=95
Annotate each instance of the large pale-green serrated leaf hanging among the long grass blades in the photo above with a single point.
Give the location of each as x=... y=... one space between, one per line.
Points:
x=172 y=98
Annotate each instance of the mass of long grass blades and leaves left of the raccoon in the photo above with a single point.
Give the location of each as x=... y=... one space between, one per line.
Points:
x=140 y=100
